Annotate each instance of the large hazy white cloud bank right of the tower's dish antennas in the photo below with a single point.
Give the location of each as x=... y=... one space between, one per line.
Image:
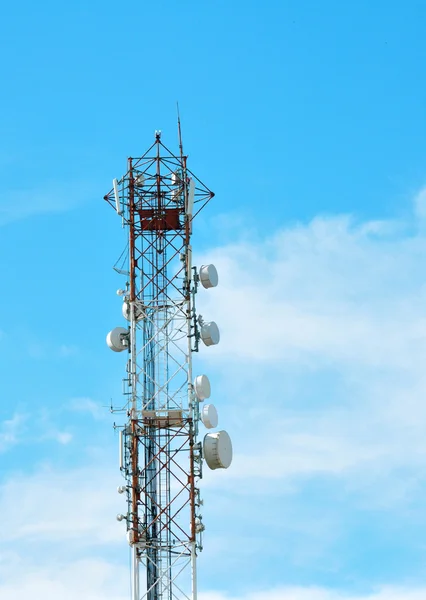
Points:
x=333 y=297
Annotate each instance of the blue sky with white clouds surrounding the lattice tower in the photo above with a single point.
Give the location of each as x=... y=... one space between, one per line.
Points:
x=307 y=119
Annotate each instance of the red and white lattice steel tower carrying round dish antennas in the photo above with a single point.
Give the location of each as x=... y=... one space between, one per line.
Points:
x=161 y=457
